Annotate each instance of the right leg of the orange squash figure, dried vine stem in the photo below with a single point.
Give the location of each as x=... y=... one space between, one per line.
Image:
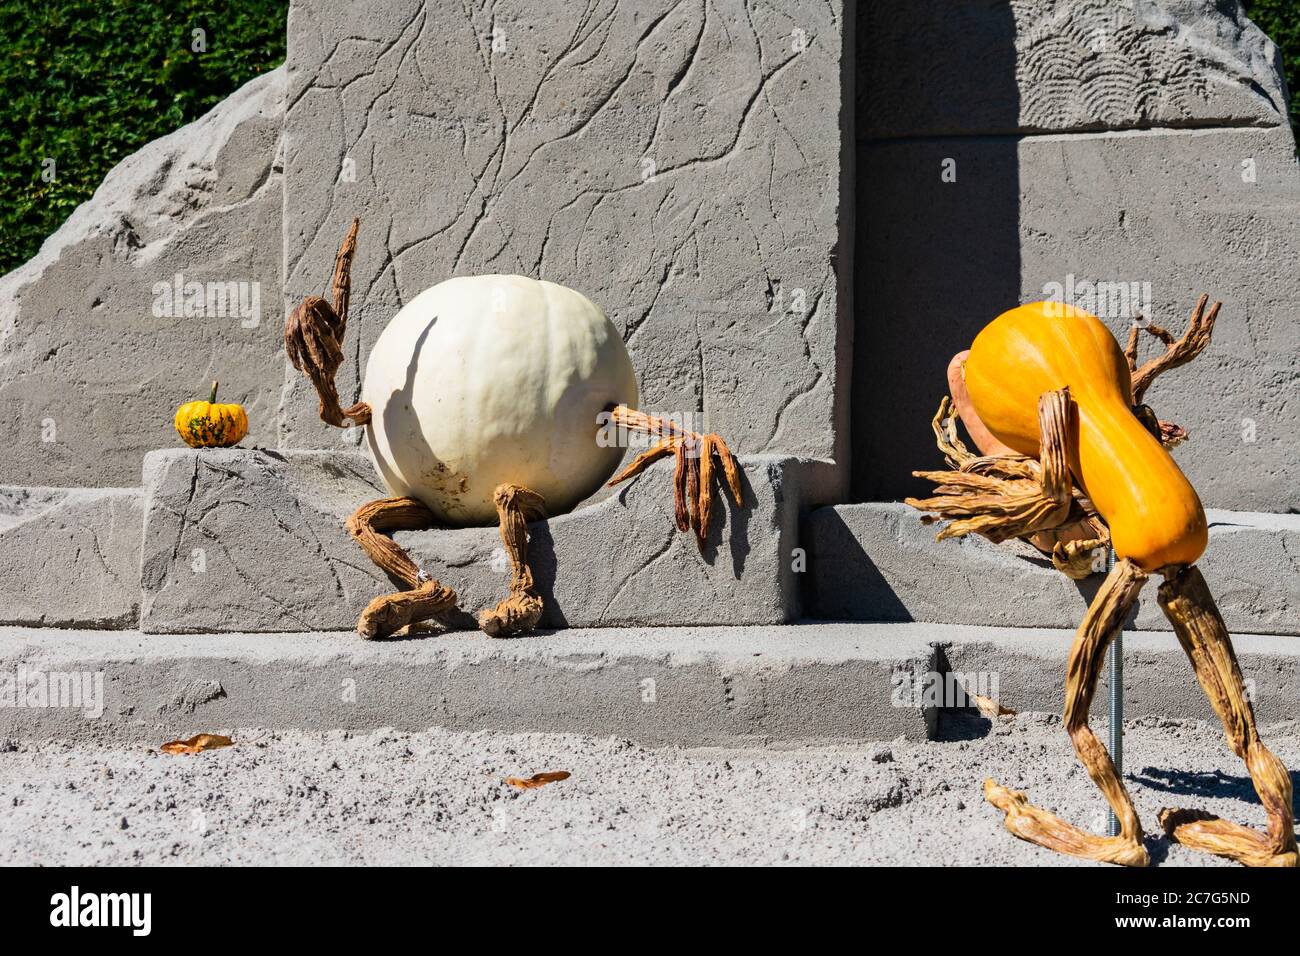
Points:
x=1191 y=609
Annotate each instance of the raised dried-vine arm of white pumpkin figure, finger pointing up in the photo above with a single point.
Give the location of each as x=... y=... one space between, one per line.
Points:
x=314 y=339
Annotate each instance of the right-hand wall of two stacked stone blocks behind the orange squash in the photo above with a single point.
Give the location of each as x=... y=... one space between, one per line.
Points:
x=1084 y=144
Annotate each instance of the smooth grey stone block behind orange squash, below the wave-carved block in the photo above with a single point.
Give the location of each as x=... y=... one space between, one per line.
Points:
x=1169 y=209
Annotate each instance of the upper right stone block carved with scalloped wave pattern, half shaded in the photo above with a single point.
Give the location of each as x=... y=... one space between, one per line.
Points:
x=1063 y=66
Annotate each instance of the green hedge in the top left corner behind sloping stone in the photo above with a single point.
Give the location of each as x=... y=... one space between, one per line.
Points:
x=89 y=83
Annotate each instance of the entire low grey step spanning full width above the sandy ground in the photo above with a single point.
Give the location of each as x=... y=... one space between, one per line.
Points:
x=687 y=686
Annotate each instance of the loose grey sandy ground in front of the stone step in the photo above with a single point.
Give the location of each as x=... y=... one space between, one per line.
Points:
x=440 y=798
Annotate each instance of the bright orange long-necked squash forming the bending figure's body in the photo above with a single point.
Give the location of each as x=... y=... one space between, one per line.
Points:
x=1156 y=518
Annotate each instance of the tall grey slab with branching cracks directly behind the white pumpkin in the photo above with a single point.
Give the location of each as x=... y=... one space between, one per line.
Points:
x=679 y=163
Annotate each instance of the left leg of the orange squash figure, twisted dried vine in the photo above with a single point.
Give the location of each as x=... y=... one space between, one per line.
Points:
x=1104 y=618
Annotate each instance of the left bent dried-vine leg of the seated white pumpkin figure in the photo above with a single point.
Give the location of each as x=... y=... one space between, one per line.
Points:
x=371 y=525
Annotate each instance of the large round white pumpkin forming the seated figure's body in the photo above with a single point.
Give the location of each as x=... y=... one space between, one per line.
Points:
x=484 y=380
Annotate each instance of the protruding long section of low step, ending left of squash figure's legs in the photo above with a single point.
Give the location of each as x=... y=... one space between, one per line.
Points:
x=658 y=686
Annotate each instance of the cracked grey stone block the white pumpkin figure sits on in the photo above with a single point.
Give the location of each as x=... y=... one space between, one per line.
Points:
x=276 y=555
